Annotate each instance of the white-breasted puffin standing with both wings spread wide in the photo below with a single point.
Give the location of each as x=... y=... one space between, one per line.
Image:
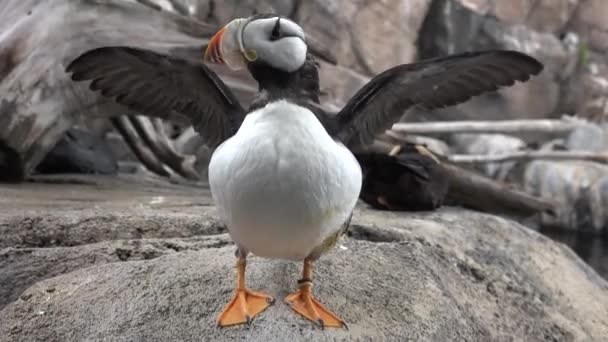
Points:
x=282 y=174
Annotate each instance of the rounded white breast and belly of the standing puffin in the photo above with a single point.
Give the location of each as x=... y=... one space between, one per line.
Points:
x=282 y=184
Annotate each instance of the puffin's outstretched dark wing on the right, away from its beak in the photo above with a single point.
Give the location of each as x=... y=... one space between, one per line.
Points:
x=431 y=84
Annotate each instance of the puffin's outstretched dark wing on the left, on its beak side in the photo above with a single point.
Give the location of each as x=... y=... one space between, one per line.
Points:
x=154 y=84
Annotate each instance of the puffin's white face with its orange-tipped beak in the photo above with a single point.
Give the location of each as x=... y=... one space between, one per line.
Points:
x=275 y=41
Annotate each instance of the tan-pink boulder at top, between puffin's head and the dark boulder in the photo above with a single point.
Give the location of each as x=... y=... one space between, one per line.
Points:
x=367 y=36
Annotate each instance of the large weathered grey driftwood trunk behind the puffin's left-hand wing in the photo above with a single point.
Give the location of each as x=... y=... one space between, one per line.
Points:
x=39 y=102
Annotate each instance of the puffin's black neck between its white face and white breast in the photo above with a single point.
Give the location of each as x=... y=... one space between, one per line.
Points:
x=299 y=86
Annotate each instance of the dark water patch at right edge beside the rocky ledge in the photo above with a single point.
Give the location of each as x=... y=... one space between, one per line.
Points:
x=593 y=249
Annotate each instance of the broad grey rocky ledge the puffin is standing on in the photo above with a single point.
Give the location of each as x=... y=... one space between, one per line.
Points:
x=114 y=259
